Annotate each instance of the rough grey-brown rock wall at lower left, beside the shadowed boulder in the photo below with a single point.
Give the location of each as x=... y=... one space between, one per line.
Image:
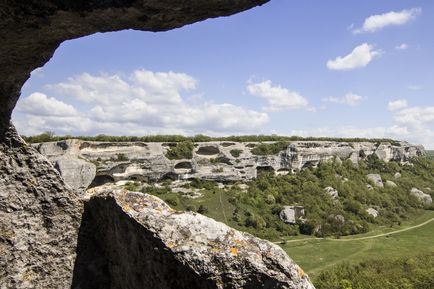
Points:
x=39 y=219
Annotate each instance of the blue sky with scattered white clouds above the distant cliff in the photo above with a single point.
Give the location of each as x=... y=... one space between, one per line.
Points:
x=310 y=68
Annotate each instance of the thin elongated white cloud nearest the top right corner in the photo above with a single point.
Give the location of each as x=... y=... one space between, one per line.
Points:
x=377 y=22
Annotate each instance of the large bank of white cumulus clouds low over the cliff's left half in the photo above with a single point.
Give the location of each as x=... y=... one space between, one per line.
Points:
x=144 y=102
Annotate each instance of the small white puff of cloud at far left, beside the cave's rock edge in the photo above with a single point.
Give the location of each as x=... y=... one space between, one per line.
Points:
x=39 y=104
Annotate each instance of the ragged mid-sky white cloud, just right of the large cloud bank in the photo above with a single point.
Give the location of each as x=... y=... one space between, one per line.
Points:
x=278 y=98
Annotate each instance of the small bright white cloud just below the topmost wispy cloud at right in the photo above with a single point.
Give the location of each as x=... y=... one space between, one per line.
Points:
x=361 y=56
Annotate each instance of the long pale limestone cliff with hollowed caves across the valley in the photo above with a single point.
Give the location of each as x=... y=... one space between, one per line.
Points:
x=211 y=160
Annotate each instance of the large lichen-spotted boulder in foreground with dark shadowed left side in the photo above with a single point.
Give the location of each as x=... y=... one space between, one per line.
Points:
x=134 y=240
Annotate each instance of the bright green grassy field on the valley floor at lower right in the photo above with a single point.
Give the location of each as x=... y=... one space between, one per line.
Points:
x=315 y=255
